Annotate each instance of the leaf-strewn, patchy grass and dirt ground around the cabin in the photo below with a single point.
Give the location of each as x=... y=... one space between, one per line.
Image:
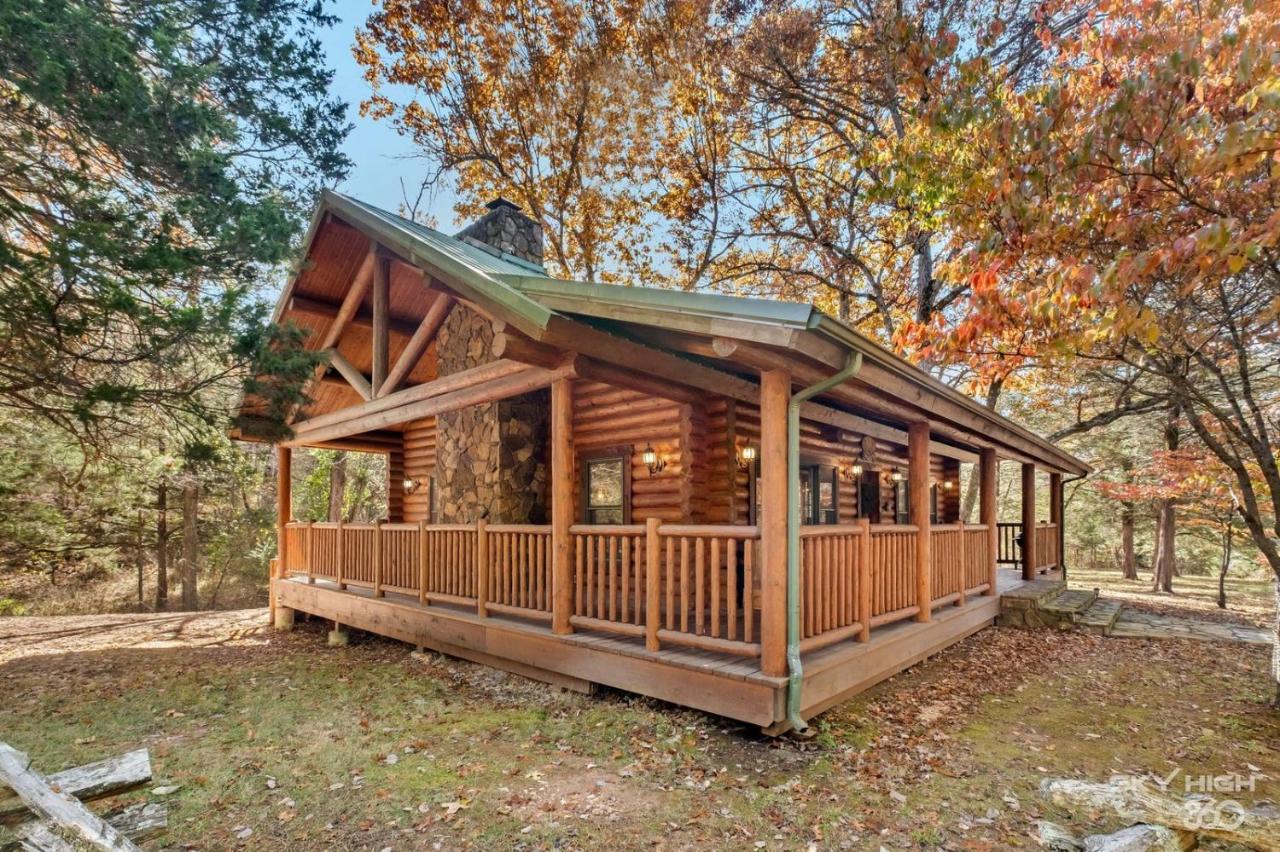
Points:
x=277 y=741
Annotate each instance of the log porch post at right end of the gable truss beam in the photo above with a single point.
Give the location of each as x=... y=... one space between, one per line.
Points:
x=563 y=506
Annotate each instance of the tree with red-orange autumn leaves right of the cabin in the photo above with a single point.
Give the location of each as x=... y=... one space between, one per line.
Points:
x=1126 y=216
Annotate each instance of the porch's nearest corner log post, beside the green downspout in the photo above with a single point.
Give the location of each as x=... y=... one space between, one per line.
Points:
x=775 y=398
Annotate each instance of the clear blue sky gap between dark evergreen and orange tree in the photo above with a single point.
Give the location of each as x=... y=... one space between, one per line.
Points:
x=382 y=157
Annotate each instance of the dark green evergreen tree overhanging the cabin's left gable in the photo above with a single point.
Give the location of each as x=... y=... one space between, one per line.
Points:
x=156 y=159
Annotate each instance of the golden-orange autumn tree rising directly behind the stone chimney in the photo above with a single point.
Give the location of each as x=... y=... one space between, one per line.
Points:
x=552 y=104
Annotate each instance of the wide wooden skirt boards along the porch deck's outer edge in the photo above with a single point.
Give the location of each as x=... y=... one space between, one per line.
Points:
x=725 y=685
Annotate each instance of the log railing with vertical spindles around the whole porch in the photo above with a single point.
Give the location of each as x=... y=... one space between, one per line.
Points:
x=670 y=585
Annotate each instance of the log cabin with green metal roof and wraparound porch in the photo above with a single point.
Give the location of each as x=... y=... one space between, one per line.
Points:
x=739 y=506
